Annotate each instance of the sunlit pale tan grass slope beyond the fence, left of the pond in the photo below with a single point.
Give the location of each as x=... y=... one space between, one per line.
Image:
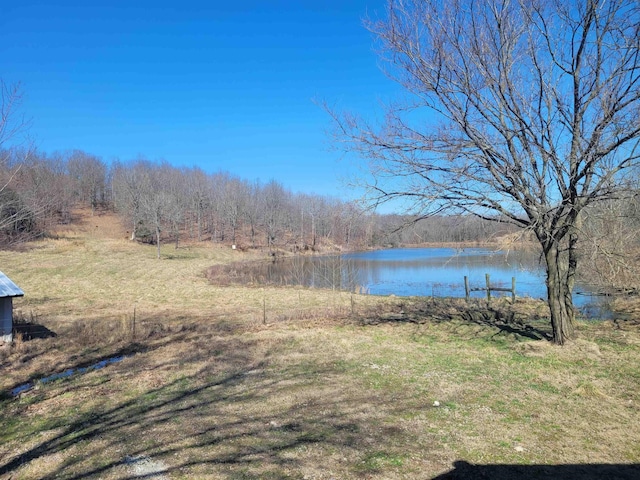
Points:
x=86 y=274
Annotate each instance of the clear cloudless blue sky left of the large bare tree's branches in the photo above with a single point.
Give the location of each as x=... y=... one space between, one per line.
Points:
x=225 y=85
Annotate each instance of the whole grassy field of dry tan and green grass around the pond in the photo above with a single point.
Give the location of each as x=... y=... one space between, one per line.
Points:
x=272 y=383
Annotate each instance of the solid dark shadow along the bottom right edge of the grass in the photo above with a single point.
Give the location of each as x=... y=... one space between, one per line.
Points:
x=467 y=471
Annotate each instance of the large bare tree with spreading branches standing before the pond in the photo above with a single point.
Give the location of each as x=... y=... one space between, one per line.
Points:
x=526 y=109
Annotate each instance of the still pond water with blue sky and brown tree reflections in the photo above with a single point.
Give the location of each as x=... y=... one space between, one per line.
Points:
x=424 y=272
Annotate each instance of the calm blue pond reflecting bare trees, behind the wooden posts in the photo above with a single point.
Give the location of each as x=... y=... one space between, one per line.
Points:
x=438 y=275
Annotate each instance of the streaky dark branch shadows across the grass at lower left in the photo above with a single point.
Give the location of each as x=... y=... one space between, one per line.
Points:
x=210 y=419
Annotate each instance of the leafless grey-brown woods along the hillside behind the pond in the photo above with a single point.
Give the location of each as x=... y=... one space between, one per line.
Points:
x=159 y=202
